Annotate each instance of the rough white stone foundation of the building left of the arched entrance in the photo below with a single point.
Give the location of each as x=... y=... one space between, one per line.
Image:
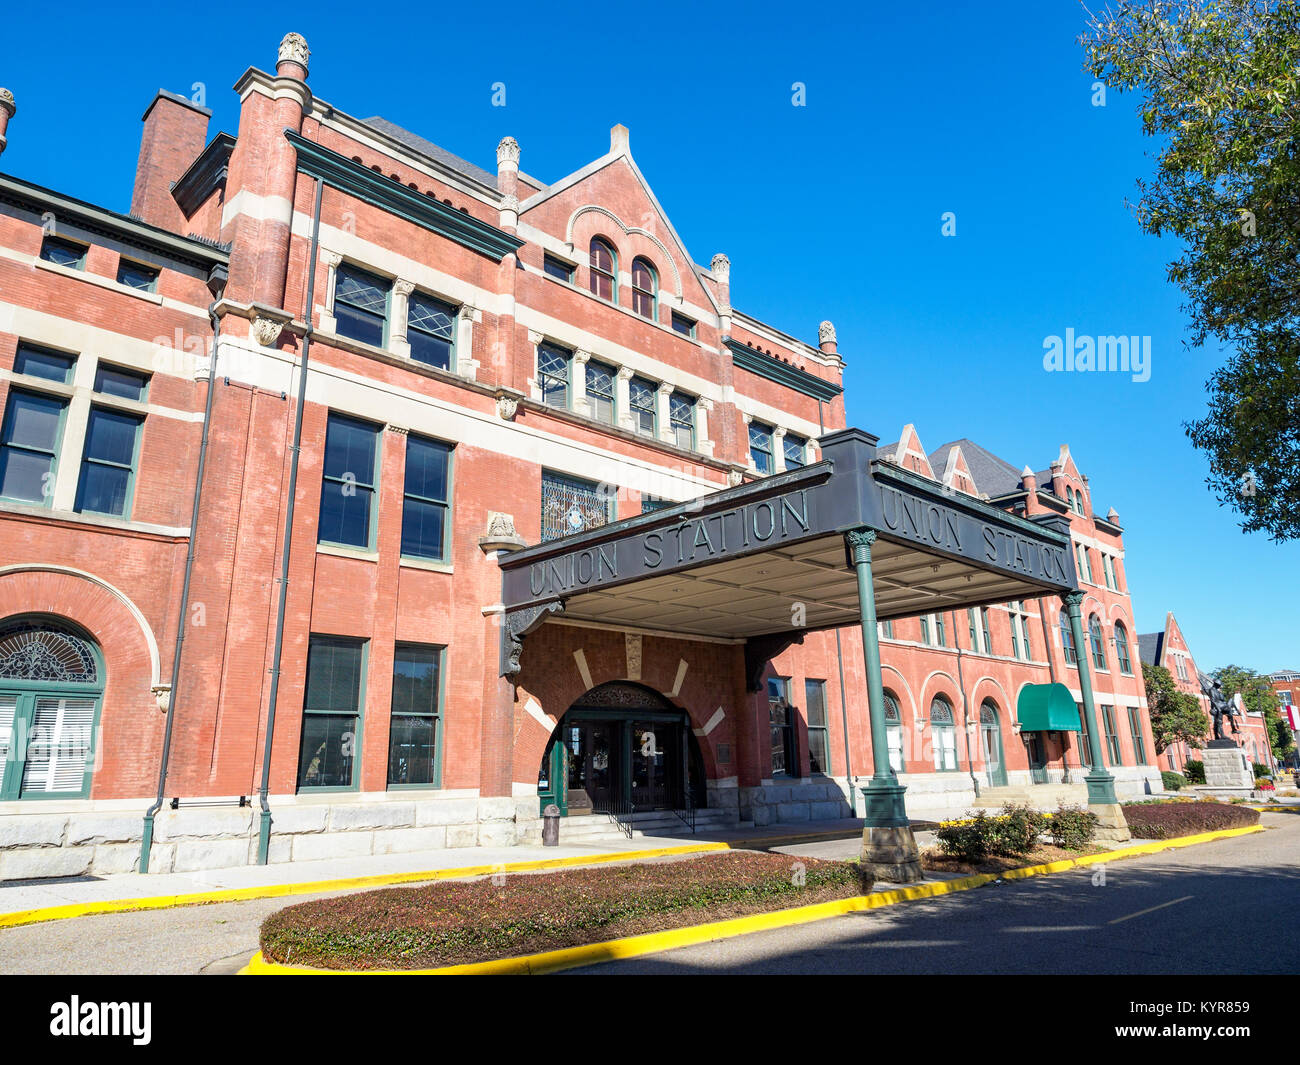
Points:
x=99 y=842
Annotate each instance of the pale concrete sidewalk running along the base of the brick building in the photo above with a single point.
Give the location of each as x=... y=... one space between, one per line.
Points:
x=344 y=874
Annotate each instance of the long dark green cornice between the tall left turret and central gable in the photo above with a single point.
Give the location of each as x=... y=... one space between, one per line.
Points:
x=350 y=177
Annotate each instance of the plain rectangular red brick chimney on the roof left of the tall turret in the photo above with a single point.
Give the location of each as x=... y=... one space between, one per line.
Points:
x=176 y=131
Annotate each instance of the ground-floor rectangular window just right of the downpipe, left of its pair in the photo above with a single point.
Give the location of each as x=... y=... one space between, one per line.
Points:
x=332 y=705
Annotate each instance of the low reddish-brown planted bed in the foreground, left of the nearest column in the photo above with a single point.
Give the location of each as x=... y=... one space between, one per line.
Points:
x=458 y=923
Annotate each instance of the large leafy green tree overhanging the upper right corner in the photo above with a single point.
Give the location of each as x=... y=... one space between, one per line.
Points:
x=1220 y=96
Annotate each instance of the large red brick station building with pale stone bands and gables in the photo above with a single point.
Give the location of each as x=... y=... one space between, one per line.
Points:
x=487 y=362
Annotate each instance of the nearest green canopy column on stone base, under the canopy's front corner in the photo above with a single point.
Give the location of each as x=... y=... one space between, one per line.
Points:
x=889 y=845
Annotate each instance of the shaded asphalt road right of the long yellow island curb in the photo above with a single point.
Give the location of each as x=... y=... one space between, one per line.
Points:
x=1219 y=908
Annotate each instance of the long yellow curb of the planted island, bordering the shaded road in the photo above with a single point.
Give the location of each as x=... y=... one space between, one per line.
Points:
x=652 y=943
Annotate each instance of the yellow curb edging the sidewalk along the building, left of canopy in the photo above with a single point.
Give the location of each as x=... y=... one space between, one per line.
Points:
x=311 y=887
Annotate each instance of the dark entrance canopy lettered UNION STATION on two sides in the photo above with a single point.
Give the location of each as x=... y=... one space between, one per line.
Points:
x=769 y=559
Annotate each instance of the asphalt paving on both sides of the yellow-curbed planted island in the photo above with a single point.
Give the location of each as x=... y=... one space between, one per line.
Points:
x=1215 y=908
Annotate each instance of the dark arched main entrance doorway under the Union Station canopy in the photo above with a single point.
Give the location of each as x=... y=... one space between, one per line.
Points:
x=622 y=748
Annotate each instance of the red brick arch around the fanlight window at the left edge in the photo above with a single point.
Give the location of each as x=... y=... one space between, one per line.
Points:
x=131 y=724
